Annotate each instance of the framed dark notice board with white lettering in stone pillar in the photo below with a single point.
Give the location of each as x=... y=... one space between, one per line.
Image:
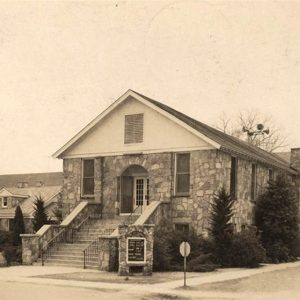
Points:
x=136 y=250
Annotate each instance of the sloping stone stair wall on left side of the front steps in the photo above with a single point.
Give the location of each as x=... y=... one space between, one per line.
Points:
x=33 y=244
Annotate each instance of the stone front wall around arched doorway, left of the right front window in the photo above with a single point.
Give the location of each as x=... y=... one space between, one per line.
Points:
x=107 y=172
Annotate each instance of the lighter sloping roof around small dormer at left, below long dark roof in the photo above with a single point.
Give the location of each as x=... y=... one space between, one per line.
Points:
x=48 y=194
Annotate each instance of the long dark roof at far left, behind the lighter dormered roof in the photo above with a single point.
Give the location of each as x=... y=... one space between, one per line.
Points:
x=32 y=179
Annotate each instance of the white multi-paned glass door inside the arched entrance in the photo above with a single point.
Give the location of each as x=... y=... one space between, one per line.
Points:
x=141 y=193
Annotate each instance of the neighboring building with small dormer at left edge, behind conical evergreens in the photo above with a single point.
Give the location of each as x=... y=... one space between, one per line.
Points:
x=22 y=189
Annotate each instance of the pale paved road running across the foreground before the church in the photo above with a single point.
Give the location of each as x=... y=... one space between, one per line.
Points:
x=273 y=283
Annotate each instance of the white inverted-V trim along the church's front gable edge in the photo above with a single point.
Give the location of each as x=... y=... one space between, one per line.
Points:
x=59 y=152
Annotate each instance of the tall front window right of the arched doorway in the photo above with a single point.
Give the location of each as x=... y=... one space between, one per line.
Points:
x=182 y=173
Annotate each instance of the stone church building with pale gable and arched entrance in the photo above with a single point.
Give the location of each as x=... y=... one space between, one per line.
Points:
x=139 y=151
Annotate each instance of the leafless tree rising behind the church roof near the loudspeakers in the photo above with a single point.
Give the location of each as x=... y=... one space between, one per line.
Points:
x=243 y=125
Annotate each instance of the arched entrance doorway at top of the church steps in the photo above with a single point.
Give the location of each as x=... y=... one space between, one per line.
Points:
x=134 y=190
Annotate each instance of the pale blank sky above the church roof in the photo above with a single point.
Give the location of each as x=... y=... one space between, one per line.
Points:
x=63 y=63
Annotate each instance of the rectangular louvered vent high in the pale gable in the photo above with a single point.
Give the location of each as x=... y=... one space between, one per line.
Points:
x=134 y=129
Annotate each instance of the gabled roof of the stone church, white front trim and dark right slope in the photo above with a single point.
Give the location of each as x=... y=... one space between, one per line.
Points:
x=214 y=137
